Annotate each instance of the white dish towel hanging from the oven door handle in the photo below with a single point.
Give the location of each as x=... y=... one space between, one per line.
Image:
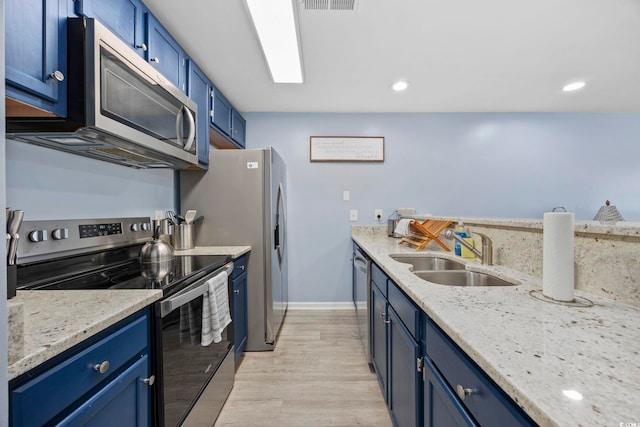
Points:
x=215 y=309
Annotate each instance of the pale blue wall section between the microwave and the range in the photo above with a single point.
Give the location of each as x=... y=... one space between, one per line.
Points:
x=50 y=184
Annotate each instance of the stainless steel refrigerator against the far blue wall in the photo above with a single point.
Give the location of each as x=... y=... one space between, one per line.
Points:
x=242 y=197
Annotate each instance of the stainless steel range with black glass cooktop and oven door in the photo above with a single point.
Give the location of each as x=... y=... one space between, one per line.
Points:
x=192 y=380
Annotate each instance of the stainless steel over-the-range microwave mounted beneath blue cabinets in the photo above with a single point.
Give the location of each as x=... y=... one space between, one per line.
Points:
x=120 y=109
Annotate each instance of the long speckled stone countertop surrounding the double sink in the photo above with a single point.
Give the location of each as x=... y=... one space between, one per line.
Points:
x=533 y=350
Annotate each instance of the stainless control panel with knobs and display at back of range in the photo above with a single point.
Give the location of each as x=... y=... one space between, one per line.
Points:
x=42 y=240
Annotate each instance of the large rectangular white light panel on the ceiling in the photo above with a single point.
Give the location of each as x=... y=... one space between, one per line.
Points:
x=275 y=24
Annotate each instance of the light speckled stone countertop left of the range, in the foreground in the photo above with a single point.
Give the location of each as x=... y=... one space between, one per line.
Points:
x=55 y=321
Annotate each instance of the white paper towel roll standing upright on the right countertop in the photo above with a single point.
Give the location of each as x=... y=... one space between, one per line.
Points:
x=558 y=255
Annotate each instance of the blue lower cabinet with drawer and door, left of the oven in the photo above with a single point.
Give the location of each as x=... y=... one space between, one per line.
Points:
x=100 y=379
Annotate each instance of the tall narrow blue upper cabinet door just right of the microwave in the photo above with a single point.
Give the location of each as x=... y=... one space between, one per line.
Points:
x=198 y=91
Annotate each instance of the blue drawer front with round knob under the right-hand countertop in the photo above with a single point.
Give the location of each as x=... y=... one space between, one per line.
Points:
x=487 y=404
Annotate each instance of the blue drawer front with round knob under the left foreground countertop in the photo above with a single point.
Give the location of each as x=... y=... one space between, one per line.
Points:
x=63 y=384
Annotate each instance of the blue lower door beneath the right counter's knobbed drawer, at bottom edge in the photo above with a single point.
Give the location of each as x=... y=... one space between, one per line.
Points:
x=440 y=405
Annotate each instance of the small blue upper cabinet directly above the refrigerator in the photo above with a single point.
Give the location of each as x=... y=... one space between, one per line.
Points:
x=227 y=121
